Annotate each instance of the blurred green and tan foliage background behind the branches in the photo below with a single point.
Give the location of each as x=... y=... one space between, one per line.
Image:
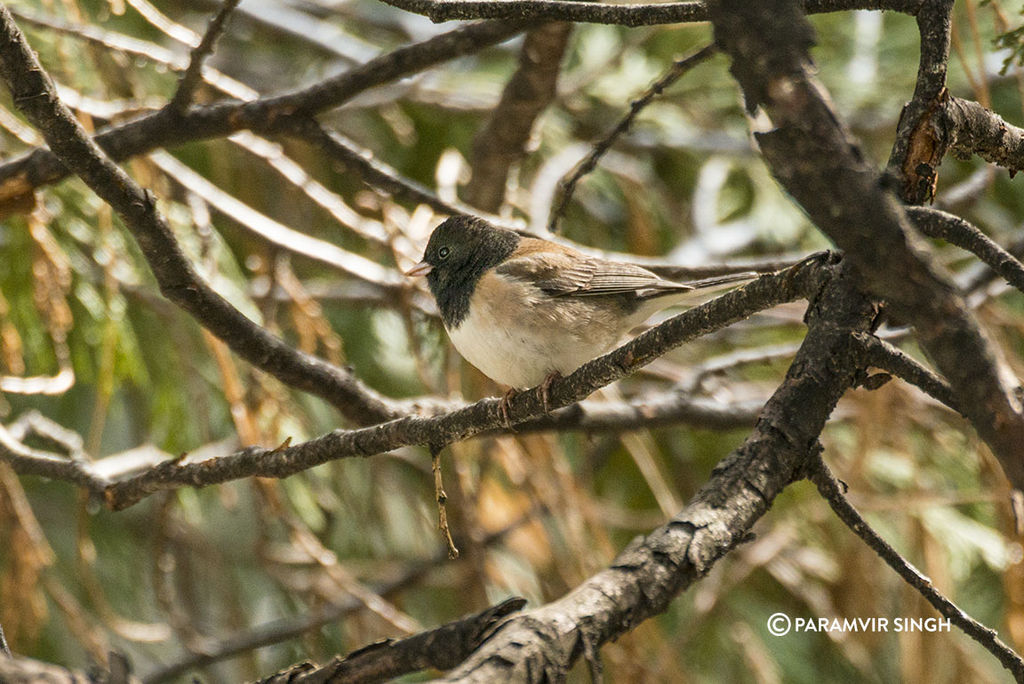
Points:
x=266 y=573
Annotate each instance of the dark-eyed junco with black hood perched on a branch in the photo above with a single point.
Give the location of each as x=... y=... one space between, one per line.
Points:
x=525 y=311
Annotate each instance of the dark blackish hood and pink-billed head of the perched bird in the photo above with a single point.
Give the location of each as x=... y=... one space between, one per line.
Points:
x=459 y=252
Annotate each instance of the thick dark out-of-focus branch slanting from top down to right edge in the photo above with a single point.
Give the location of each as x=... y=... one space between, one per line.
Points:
x=822 y=167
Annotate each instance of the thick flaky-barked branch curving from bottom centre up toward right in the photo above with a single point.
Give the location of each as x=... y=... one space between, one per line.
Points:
x=542 y=645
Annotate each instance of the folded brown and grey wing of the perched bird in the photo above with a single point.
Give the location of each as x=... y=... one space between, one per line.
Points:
x=567 y=273
